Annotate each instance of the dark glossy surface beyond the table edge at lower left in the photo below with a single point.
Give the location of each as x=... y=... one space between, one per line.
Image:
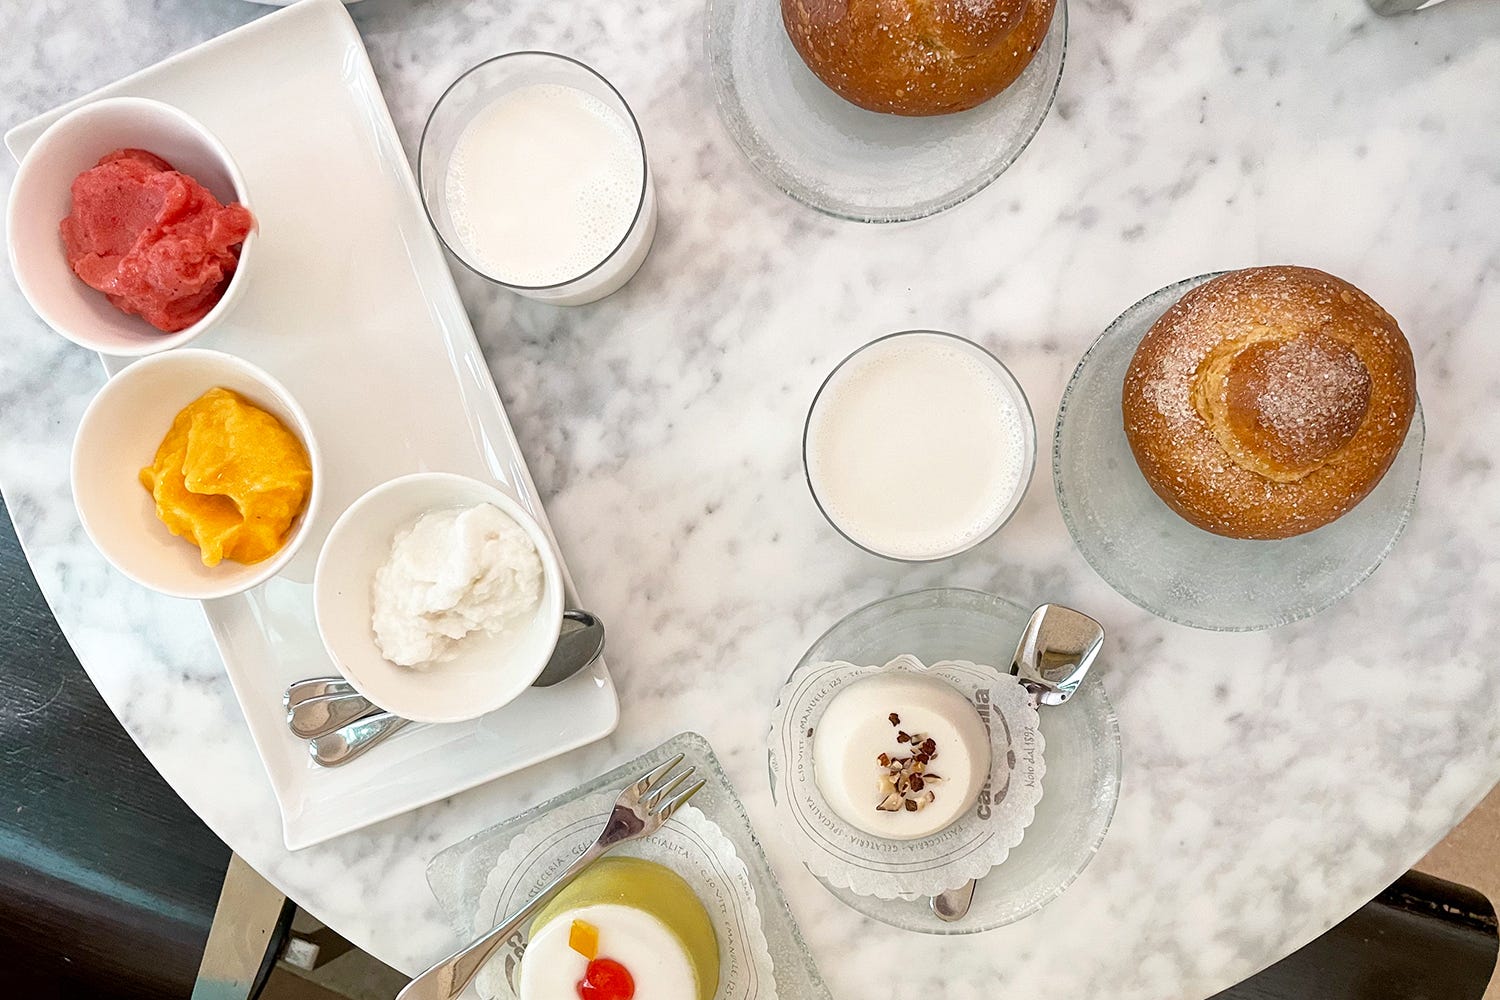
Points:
x=106 y=876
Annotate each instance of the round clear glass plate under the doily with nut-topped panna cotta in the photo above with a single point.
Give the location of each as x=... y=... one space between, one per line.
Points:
x=1084 y=752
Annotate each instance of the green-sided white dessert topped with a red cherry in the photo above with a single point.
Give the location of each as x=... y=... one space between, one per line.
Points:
x=625 y=929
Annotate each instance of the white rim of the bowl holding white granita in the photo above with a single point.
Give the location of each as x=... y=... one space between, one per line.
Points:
x=554 y=597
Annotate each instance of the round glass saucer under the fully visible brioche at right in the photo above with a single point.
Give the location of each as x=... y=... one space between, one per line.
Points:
x=1177 y=570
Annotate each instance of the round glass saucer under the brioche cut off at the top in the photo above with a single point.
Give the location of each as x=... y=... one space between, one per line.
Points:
x=857 y=164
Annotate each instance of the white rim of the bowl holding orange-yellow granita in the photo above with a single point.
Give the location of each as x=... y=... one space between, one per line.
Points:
x=266 y=569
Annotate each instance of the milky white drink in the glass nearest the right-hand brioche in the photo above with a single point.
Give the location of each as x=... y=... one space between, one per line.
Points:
x=919 y=446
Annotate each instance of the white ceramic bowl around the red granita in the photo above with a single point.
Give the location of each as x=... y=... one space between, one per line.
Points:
x=41 y=199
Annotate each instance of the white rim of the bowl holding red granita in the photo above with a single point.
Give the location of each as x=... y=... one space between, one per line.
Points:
x=25 y=178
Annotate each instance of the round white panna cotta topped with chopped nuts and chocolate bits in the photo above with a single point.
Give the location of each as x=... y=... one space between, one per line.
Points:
x=901 y=756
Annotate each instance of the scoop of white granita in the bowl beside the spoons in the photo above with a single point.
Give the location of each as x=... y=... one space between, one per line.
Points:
x=449 y=575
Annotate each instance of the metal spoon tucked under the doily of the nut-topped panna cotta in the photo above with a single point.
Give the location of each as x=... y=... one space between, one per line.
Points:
x=1055 y=653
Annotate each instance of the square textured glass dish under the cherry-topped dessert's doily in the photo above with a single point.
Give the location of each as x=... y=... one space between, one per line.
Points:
x=460 y=873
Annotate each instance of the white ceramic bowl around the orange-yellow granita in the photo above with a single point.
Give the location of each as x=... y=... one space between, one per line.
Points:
x=119 y=436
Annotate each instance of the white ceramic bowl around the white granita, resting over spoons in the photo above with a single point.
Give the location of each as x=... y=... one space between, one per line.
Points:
x=490 y=671
